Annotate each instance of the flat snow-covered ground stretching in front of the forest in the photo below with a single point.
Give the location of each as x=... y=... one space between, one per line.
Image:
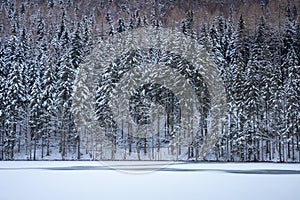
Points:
x=137 y=180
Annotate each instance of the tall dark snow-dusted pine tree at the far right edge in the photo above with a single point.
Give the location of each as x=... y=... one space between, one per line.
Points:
x=290 y=67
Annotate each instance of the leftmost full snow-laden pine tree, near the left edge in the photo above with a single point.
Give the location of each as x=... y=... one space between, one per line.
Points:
x=14 y=89
